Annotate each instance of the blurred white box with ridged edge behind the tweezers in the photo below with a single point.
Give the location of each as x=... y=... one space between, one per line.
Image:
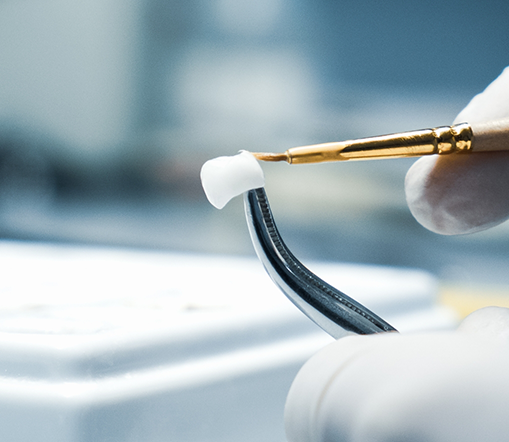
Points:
x=119 y=345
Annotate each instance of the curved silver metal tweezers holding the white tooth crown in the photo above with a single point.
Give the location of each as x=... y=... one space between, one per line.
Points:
x=331 y=309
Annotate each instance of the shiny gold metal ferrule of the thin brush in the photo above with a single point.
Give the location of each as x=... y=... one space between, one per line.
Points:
x=441 y=140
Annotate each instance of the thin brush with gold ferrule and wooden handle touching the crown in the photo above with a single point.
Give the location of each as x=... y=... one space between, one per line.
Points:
x=459 y=138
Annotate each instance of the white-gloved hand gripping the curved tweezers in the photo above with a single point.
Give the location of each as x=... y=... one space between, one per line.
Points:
x=436 y=387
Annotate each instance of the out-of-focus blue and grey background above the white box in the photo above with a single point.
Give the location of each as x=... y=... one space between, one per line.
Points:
x=108 y=109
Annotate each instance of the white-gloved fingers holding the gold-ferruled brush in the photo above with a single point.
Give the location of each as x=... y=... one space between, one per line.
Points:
x=454 y=194
